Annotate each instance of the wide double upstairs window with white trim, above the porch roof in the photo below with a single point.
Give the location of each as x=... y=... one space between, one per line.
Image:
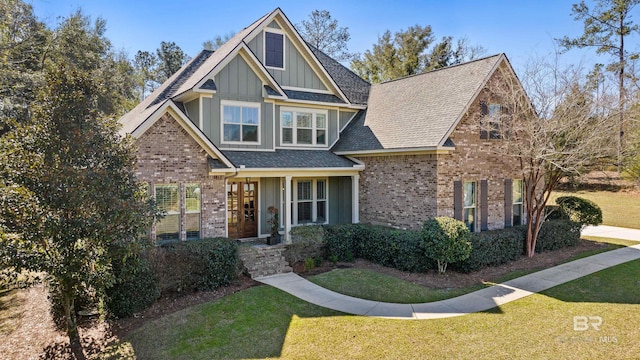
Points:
x=303 y=127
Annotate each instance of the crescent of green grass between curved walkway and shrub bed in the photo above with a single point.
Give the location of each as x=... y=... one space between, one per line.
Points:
x=371 y=285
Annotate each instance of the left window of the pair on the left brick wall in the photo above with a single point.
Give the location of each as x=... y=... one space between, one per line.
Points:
x=168 y=202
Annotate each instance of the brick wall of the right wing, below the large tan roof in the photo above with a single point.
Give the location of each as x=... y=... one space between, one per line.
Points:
x=403 y=191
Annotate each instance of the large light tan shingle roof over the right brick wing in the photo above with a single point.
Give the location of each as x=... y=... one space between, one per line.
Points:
x=418 y=111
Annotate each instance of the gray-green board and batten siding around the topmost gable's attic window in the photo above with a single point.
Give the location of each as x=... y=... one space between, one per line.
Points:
x=298 y=73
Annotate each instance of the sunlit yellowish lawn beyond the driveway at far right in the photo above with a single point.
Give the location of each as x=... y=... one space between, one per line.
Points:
x=618 y=209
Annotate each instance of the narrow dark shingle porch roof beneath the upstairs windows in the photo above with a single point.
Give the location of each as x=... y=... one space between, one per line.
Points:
x=288 y=159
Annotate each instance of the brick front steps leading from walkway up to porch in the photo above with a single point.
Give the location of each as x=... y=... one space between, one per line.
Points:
x=262 y=260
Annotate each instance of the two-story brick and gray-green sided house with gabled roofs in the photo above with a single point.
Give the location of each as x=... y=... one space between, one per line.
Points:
x=269 y=121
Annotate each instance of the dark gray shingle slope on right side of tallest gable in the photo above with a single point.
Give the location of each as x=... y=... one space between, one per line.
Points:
x=355 y=88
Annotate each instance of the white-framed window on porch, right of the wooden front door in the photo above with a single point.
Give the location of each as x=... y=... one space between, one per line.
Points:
x=309 y=201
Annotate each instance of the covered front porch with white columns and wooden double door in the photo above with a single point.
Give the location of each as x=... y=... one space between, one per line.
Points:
x=300 y=195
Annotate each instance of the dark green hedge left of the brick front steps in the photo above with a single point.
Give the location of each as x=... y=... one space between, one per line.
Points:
x=195 y=265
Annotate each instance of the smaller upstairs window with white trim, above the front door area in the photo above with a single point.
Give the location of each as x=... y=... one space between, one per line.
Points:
x=240 y=122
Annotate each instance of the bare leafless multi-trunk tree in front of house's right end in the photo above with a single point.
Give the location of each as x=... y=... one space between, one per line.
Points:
x=553 y=129
